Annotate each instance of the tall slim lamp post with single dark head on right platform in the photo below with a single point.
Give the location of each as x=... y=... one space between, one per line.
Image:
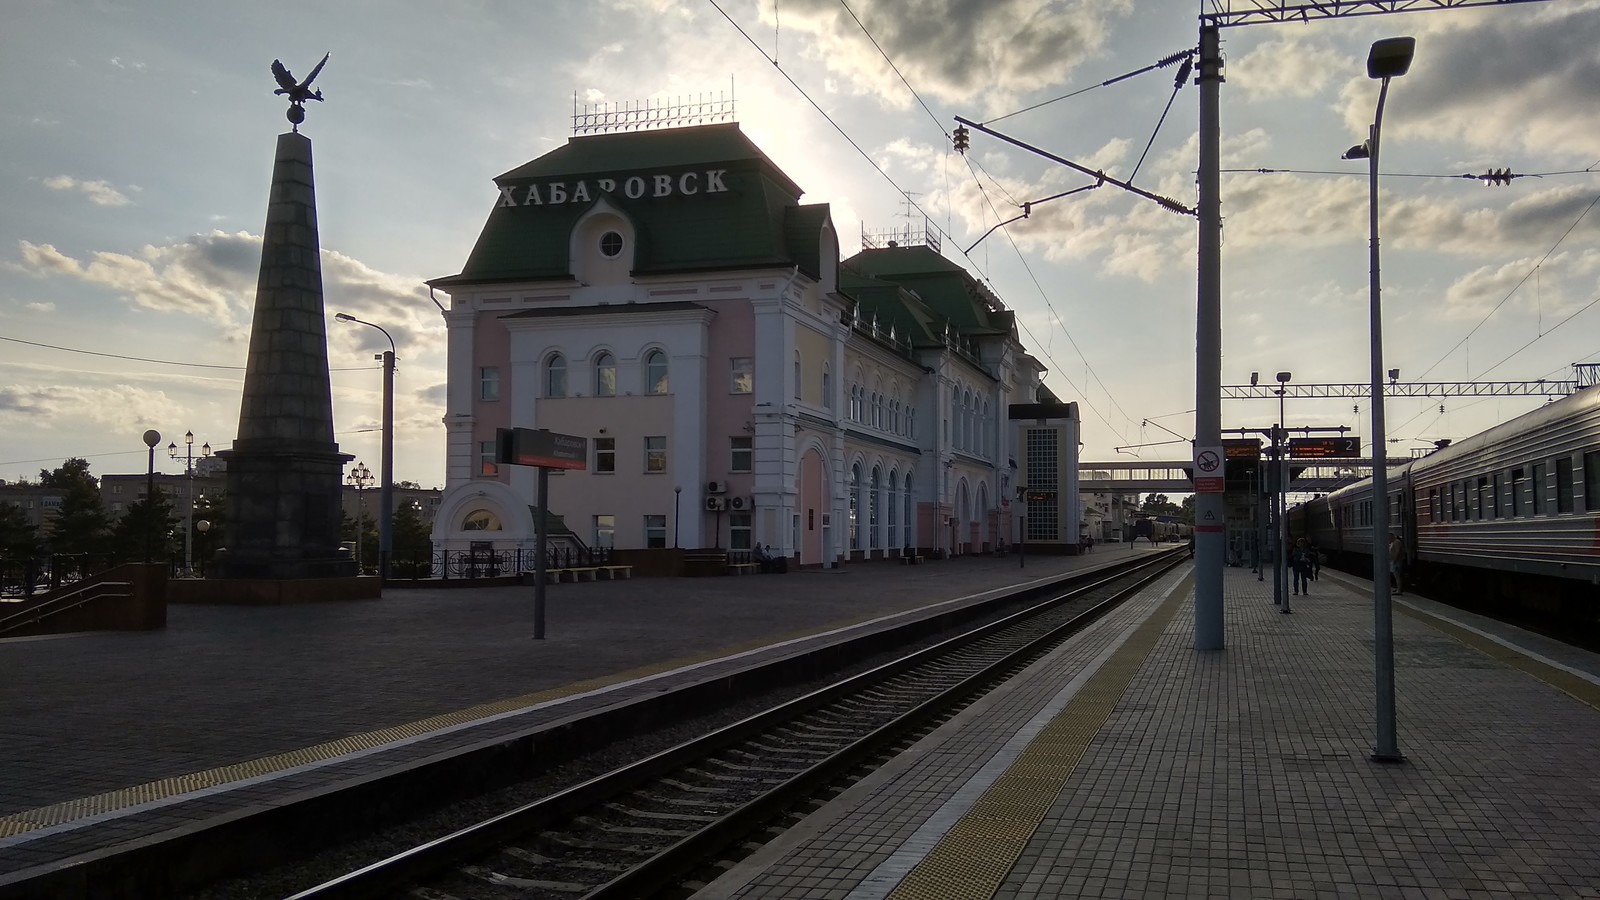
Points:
x=1390 y=58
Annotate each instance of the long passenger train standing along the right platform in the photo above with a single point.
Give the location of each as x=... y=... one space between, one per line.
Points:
x=1511 y=515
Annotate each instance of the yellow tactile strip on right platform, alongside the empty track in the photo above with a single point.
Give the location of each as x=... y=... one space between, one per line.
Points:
x=975 y=856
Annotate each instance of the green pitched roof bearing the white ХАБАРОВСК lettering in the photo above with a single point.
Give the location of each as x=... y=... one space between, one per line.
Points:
x=756 y=222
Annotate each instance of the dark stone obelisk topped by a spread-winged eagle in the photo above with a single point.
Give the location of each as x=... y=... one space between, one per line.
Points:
x=286 y=472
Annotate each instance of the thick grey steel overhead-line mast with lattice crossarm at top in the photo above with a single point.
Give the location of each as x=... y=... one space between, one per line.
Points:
x=1217 y=15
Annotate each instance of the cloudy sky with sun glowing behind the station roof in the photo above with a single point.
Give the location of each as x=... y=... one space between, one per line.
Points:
x=138 y=151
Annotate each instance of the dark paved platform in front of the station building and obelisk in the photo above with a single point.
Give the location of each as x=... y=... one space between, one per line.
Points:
x=116 y=739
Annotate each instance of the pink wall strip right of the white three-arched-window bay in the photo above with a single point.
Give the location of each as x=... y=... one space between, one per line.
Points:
x=732 y=335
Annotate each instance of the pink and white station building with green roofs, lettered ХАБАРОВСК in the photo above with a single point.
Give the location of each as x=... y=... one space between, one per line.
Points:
x=670 y=299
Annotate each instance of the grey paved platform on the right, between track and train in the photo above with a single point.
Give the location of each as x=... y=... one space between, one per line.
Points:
x=1127 y=765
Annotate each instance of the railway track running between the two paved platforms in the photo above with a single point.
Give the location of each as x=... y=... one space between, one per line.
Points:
x=641 y=829
